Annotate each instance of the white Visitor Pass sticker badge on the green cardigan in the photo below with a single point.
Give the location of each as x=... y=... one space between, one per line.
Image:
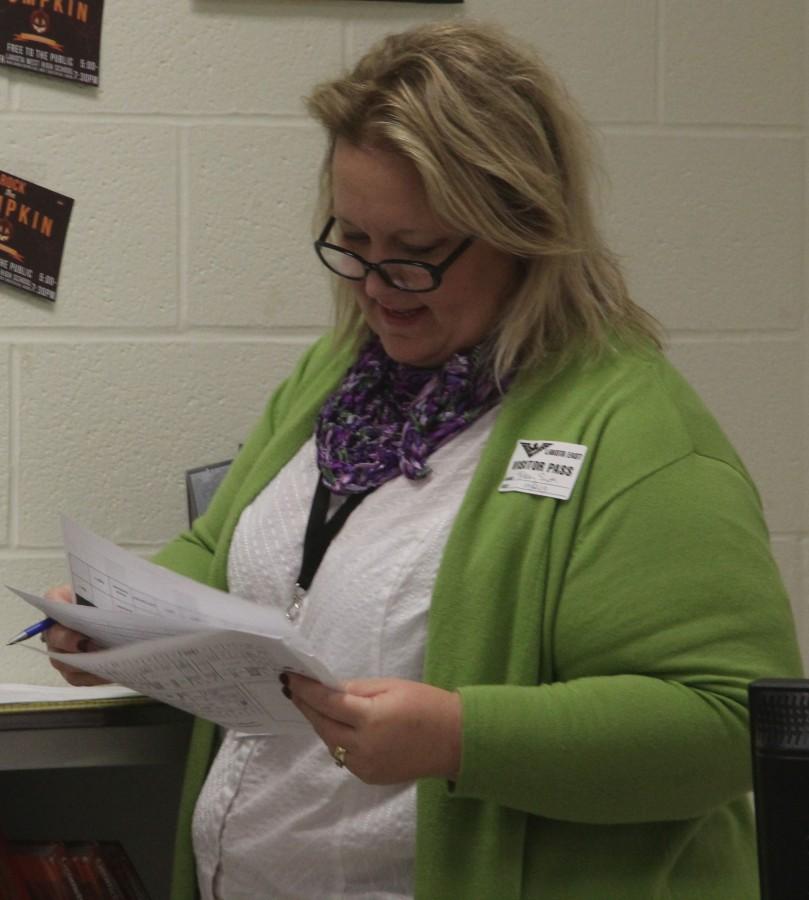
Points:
x=544 y=468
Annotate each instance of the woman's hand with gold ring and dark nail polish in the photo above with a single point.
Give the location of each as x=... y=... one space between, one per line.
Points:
x=392 y=730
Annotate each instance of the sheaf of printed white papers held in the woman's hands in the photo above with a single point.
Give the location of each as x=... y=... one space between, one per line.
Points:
x=213 y=654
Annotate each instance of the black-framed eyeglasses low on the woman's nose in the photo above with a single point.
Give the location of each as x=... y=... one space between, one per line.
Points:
x=402 y=274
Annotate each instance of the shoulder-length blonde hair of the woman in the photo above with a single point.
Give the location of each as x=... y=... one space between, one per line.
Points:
x=503 y=155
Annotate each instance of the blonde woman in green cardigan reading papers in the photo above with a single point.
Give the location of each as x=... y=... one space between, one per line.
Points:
x=549 y=582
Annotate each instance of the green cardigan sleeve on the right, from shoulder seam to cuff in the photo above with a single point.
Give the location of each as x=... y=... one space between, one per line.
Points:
x=670 y=606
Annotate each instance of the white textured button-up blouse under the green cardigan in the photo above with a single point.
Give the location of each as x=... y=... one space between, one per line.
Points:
x=276 y=817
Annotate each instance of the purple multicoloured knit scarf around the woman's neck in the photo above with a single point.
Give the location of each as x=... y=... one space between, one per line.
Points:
x=386 y=418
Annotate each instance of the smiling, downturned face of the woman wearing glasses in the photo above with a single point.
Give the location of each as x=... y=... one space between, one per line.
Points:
x=381 y=212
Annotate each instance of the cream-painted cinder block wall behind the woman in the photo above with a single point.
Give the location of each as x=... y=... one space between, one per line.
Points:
x=188 y=286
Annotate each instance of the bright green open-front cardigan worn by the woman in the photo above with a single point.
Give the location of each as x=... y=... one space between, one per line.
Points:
x=602 y=645
